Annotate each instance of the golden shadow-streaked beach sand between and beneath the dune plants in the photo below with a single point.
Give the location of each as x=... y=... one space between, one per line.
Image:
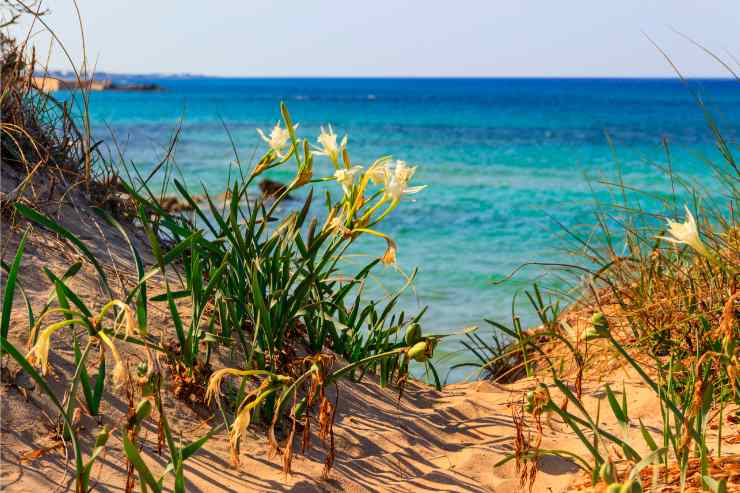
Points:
x=429 y=440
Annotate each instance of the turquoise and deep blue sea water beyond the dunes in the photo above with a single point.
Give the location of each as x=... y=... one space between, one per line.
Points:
x=505 y=160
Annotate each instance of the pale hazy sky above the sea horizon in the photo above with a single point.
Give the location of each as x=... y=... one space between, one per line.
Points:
x=325 y=38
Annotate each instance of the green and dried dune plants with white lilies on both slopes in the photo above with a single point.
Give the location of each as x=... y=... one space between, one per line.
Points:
x=240 y=307
